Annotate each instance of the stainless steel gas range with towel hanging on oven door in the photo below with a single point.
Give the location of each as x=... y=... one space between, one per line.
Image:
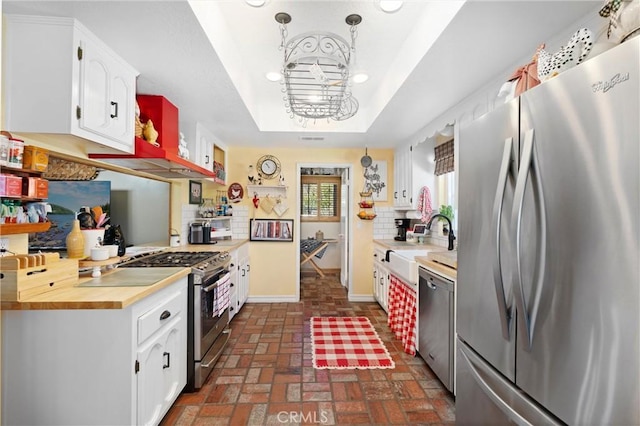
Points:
x=208 y=317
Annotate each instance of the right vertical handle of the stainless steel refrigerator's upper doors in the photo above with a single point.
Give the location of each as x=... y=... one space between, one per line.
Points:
x=528 y=165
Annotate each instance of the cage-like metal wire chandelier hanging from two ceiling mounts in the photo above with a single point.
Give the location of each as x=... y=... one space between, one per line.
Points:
x=316 y=72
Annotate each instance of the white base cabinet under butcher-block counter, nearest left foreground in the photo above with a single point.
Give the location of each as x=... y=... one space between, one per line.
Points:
x=95 y=366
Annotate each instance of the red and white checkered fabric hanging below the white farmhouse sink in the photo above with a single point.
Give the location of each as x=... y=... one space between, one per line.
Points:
x=403 y=313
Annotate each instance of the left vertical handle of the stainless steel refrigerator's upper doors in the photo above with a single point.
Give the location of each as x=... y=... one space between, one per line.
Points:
x=498 y=202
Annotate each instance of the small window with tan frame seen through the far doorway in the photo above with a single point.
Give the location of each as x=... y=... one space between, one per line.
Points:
x=320 y=198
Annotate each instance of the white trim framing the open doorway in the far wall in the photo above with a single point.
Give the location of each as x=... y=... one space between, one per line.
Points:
x=349 y=167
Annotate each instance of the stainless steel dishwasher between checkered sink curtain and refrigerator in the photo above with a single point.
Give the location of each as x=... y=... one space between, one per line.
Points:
x=436 y=326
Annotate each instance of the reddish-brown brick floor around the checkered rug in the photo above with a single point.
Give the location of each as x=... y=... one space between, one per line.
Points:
x=266 y=376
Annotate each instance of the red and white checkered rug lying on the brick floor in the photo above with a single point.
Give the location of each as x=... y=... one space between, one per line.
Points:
x=347 y=343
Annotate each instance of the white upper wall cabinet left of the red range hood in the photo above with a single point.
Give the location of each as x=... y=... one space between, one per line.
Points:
x=61 y=80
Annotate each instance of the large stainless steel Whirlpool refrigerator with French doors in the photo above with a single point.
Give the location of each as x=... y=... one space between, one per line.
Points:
x=548 y=299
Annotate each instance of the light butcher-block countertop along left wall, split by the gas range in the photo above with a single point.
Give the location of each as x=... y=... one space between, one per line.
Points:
x=116 y=288
